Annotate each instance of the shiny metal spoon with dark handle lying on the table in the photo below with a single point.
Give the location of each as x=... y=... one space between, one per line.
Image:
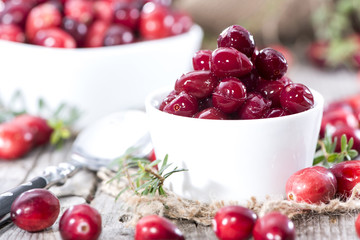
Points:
x=96 y=146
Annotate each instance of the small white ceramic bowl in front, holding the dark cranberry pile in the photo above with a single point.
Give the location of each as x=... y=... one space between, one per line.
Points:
x=233 y=159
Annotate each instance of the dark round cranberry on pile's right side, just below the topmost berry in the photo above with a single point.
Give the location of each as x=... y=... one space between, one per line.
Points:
x=270 y=64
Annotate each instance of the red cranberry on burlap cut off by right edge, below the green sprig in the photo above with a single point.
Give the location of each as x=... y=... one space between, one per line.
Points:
x=347 y=175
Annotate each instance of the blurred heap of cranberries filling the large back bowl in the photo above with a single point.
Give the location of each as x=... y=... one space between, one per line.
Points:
x=88 y=23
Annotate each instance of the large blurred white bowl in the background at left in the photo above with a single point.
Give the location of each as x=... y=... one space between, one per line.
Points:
x=98 y=81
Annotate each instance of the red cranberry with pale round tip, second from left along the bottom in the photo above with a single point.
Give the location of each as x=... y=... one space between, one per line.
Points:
x=80 y=222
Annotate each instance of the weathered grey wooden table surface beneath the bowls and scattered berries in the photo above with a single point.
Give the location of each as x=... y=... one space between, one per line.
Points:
x=84 y=186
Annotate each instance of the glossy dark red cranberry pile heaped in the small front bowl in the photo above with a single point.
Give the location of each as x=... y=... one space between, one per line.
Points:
x=236 y=81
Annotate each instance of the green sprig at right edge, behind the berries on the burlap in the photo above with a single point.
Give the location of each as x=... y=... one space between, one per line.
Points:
x=326 y=154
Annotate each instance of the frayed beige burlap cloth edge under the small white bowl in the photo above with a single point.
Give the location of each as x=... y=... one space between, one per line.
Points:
x=173 y=206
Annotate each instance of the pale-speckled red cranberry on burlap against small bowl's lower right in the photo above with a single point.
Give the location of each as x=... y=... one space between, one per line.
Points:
x=311 y=185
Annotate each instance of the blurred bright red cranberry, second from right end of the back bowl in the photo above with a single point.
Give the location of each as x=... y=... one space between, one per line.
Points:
x=155 y=21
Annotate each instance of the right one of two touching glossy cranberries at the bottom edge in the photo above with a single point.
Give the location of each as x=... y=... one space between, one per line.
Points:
x=274 y=226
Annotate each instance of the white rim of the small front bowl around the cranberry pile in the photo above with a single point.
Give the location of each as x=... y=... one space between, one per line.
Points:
x=152 y=97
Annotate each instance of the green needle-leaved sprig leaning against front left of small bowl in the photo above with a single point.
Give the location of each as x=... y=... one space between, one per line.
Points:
x=147 y=179
